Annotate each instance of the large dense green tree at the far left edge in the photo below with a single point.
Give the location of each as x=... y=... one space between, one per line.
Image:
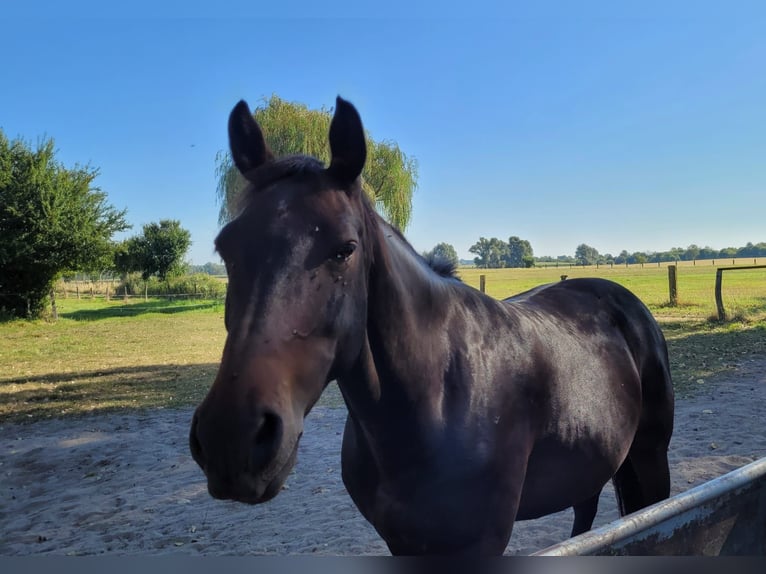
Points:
x=53 y=220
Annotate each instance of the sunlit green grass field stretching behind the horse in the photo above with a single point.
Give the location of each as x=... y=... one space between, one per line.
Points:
x=102 y=356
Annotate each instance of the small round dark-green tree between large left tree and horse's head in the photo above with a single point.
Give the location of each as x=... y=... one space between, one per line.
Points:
x=160 y=250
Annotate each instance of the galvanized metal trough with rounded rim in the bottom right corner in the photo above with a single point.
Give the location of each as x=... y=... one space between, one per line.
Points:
x=723 y=517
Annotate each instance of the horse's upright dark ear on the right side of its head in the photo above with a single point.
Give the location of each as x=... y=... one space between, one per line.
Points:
x=347 y=143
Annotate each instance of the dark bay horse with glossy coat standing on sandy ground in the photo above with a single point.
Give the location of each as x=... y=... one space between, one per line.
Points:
x=464 y=413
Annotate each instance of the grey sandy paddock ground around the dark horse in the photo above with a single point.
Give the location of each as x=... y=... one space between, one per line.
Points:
x=126 y=484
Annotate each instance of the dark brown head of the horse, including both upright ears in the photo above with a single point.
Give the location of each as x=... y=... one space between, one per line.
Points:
x=297 y=261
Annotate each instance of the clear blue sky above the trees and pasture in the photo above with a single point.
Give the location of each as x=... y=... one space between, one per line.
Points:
x=570 y=123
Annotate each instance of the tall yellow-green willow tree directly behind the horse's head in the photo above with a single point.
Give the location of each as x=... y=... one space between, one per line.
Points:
x=389 y=177
